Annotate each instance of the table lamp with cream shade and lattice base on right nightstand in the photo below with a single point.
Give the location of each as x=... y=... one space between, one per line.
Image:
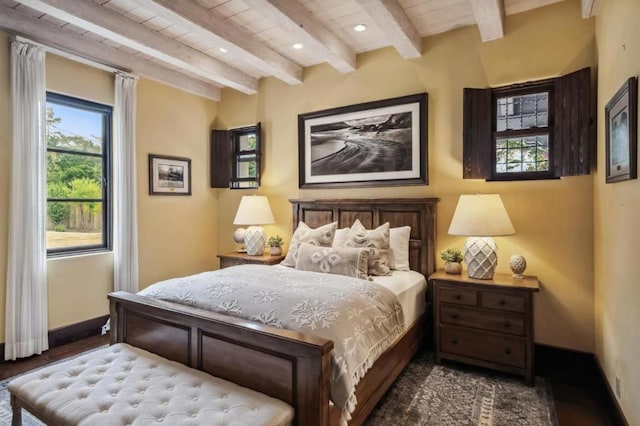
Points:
x=480 y=217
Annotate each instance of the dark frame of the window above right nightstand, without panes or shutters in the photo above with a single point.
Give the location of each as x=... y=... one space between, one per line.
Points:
x=519 y=90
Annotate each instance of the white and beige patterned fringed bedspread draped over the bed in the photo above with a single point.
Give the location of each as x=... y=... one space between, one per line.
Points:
x=362 y=318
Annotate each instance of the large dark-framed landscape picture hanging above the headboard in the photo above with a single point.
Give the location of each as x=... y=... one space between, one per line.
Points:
x=379 y=143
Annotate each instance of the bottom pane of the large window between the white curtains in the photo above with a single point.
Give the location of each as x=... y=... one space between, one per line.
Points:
x=73 y=224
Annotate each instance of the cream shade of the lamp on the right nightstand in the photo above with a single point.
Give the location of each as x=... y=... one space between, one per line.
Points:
x=481 y=215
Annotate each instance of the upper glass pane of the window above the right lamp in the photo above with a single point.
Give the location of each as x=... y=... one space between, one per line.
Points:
x=522 y=111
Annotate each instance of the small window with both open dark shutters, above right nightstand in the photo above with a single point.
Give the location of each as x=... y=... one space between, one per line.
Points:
x=536 y=130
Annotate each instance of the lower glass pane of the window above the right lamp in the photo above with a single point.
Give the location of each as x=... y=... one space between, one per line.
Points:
x=527 y=154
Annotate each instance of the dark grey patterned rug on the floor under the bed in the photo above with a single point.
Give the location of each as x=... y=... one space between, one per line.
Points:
x=425 y=394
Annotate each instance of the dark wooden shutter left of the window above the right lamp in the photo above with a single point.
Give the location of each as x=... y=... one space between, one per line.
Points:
x=477 y=134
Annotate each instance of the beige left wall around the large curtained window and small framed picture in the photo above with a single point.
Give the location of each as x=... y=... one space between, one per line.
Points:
x=177 y=234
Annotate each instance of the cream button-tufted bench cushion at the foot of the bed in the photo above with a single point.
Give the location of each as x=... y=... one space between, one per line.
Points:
x=124 y=385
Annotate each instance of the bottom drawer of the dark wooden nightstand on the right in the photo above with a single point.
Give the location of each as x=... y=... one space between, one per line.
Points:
x=487 y=347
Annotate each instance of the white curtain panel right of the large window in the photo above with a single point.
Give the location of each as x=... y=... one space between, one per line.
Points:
x=125 y=247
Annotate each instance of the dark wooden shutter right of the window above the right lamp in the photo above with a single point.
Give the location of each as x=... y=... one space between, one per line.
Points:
x=573 y=124
